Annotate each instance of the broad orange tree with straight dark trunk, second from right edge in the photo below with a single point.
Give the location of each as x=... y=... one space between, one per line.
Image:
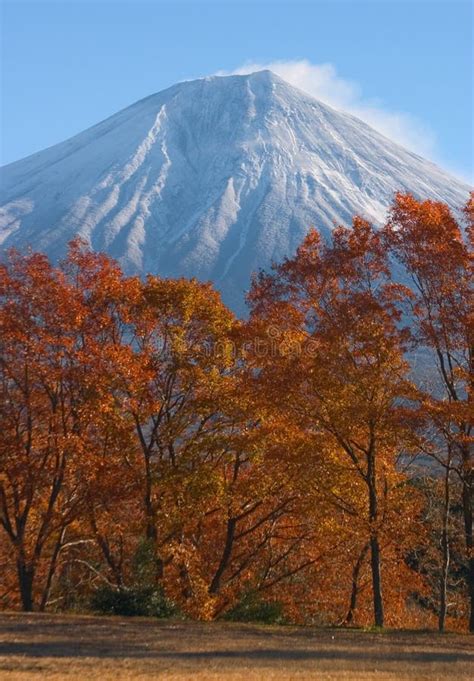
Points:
x=338 y=368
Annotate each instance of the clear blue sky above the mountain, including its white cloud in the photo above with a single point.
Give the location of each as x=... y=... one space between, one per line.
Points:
x=405 y=66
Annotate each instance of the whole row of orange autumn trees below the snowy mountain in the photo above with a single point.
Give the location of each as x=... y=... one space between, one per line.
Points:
x=314 y=460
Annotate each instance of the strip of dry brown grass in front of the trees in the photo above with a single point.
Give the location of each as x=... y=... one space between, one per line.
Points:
x=99 y=648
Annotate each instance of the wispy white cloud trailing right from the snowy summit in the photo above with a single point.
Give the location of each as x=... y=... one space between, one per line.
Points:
x=323 y=82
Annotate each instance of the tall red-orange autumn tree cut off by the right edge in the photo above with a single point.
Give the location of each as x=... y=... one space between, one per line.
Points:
x=428 y=243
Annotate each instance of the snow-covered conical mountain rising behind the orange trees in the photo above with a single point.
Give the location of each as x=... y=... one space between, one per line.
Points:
x=212 y=178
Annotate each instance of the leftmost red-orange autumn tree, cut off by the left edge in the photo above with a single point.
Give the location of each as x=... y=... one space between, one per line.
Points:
x=44 y=417
